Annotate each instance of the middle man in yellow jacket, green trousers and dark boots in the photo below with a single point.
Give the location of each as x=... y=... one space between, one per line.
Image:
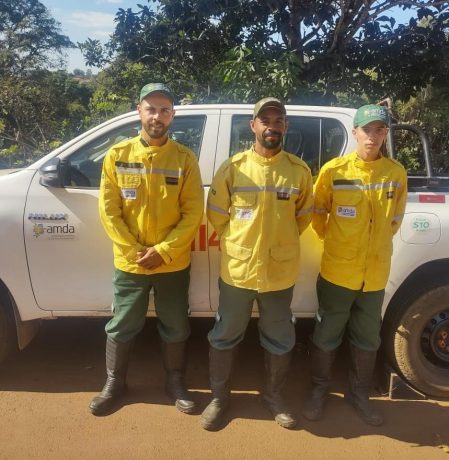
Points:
x=259 y=203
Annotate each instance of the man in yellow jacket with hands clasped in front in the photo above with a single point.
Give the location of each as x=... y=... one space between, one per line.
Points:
x=151 y=205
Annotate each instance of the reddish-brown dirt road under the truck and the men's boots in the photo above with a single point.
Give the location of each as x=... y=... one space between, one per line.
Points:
x=46 y=389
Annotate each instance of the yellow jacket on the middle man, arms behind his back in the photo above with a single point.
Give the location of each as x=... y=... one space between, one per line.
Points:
x=259 y=207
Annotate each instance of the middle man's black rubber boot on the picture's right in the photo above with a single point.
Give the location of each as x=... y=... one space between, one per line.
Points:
x=276 y=369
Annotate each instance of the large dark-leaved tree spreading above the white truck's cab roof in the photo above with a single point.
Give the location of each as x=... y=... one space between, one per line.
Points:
x=234 y=49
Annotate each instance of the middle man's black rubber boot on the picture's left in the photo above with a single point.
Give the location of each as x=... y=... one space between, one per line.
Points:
x=220 y=368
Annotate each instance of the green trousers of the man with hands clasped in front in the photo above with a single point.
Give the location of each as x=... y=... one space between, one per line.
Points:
x=130 y=304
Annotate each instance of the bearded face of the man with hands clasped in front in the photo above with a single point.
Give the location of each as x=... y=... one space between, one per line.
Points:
x=156 y=114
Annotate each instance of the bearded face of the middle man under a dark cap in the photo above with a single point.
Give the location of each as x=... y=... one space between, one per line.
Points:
x=269 y=127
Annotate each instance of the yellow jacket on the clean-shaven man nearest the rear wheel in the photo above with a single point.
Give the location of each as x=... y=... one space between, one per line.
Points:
x=358 y=208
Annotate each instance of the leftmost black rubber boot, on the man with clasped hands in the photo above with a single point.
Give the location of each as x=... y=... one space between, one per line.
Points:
x=117 y=357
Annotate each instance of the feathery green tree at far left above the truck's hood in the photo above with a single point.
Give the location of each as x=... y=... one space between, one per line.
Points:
x=37 y=107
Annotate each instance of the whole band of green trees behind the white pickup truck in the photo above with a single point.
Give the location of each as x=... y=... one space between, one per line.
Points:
x=345 y=52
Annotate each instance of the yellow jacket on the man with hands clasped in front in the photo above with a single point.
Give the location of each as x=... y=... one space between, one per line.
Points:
x=151 y=196
